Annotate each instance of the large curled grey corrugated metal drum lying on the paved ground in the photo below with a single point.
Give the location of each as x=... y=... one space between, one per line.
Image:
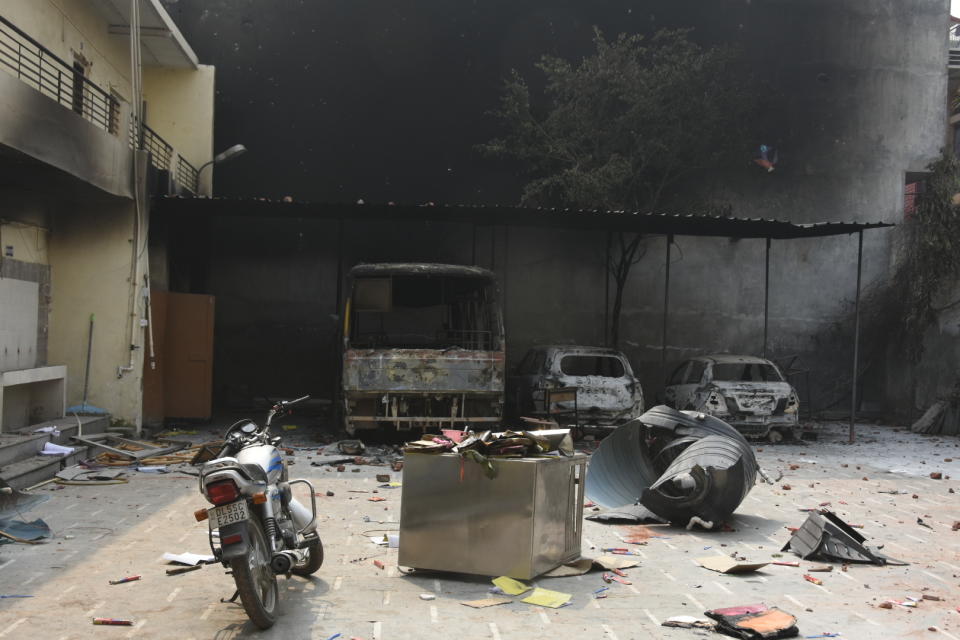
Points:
x=682 y=466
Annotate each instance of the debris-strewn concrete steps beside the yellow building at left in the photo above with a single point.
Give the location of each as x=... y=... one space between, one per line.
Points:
x=21 y=464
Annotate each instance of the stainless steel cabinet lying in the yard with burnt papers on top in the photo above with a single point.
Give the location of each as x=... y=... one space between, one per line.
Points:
x=522 y=523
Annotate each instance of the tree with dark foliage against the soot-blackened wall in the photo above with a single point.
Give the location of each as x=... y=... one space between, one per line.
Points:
x=623 y=127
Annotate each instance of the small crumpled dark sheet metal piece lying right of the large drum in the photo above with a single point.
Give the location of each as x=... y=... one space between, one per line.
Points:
x=824 y=535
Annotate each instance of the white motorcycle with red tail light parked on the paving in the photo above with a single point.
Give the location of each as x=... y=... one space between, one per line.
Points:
x=257 y=528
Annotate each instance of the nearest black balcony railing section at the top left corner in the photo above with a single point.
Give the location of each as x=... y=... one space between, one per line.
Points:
x=49 y=74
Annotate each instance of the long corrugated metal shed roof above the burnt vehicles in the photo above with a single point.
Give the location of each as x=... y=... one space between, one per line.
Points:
x=689 y=224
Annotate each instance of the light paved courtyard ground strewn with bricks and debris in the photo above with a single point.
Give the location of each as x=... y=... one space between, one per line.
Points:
x=112 y=531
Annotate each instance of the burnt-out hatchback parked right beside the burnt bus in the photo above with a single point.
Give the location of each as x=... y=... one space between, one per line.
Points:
x=607 y=393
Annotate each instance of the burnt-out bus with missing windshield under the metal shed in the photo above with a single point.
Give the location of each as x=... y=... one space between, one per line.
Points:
x=423 y=347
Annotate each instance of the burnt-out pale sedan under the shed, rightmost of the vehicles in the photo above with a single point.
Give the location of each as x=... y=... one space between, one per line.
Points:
x=747 y=392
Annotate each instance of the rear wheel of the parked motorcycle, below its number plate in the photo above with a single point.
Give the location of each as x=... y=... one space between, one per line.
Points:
x=256 y=582
